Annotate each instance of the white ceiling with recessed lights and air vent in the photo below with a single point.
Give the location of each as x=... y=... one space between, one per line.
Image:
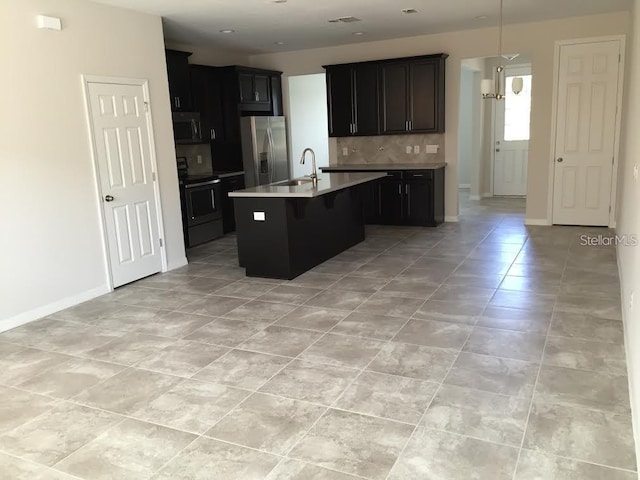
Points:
x=269 y=26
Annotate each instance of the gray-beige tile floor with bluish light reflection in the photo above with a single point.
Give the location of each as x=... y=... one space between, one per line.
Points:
x=477 y=350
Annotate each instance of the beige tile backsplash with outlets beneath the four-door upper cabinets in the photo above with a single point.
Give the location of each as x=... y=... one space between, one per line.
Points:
x=390 y=149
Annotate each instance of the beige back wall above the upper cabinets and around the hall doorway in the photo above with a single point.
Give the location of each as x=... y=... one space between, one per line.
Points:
x=536 y=39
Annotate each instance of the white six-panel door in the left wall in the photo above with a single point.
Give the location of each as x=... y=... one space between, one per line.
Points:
x=120 y=131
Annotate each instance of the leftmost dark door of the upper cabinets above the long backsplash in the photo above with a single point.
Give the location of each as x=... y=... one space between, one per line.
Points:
x=339 y=101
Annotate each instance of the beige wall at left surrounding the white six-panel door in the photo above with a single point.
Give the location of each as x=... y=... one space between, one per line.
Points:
x=51 y=248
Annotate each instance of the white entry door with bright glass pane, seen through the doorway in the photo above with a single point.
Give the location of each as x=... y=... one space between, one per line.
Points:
x=512 y=122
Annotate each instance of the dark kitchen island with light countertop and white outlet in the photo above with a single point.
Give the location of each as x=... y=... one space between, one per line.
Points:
x=287 y=228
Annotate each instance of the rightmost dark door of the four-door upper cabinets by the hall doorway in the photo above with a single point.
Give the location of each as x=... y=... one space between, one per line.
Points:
x=423 y=86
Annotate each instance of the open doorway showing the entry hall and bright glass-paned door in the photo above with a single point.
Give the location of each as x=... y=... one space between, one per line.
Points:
x=493 y=136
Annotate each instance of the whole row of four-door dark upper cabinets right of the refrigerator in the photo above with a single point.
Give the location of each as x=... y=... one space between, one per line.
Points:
x=385 y=97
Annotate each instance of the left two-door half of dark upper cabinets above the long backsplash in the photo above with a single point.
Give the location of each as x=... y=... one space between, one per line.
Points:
x=352 y=100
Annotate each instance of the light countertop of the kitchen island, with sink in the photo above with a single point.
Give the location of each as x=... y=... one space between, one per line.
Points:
x=327 y=182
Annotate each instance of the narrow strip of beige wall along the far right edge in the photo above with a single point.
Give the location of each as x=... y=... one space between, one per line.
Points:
x=628 y=222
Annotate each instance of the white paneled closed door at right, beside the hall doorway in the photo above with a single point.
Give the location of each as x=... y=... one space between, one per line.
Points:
x=585 y=132
